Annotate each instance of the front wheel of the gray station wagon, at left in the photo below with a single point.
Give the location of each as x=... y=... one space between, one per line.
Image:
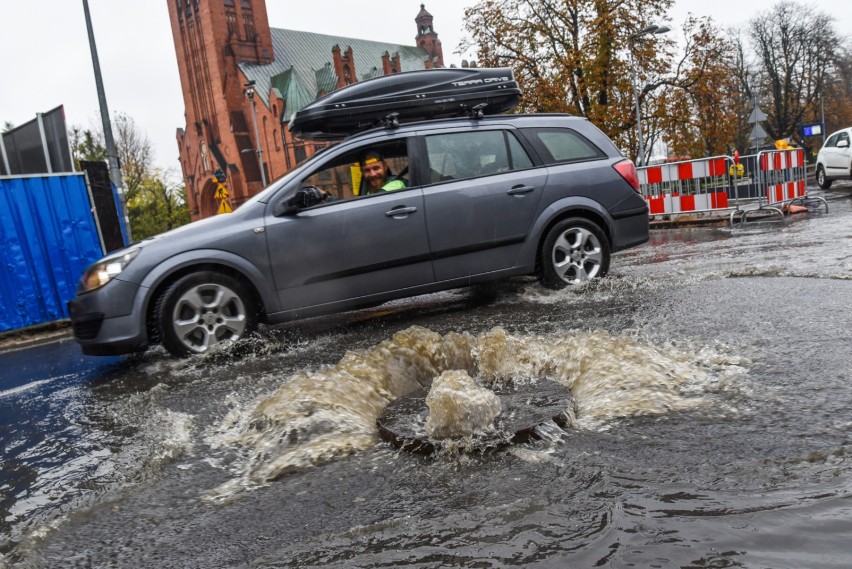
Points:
x=202 y=310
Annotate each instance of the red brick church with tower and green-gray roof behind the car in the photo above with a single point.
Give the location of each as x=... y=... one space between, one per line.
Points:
x=240 y=77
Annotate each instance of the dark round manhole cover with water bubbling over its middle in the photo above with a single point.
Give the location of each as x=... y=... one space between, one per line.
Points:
x=525 y=405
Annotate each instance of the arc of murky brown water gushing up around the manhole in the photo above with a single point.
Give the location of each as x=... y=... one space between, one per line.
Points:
x=321 y=414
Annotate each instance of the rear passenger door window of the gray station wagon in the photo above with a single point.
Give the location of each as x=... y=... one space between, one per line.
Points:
x=470 y=154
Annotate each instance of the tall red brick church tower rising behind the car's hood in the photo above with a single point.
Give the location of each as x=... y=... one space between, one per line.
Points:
x=211 y=39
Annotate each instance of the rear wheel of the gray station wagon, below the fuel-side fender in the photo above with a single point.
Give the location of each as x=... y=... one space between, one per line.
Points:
x=575 y=250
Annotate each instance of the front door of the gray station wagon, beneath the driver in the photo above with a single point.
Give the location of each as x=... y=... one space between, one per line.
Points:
x=352 y=248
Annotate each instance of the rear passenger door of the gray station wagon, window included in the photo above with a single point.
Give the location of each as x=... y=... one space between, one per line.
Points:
x=482 y=196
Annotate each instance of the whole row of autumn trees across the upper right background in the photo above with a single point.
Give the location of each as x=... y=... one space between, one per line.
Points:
x=578 y=56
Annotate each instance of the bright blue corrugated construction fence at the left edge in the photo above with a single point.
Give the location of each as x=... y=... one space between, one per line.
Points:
x=48 y=236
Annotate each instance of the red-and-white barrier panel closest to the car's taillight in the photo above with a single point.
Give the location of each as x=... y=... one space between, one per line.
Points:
x=689 y=186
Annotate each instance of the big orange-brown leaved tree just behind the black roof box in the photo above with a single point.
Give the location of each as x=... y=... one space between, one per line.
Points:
x=568 y=56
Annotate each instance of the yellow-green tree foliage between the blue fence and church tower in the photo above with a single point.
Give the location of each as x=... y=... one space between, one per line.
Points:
x=154 y=204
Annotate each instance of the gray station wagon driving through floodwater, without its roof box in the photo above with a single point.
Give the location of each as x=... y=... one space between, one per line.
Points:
x=479 y=199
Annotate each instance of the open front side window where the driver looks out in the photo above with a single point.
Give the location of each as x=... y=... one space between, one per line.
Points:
x=342 y=176
